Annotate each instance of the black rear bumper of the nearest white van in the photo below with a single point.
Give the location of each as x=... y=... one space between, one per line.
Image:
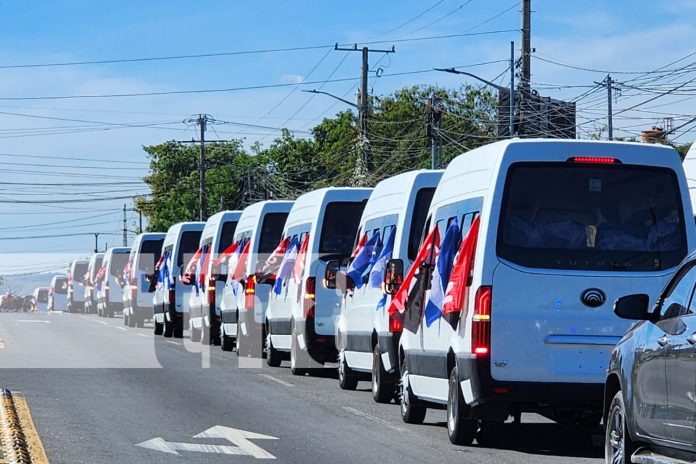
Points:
x=525 y=396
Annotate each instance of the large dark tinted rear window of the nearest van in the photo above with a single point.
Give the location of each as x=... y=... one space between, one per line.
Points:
x=592 y=217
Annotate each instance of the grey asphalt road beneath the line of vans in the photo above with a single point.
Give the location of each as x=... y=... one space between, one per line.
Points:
x=97 y=389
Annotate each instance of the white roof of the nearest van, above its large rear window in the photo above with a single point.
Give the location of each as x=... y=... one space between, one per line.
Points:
x=473 y=172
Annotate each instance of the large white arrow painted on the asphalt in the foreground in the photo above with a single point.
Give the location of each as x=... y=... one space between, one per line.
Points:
x=240 y=439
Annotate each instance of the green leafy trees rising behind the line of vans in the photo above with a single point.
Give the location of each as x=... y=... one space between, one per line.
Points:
x=398 y=141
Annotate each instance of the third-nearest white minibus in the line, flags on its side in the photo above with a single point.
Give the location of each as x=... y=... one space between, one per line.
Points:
x=301 y=315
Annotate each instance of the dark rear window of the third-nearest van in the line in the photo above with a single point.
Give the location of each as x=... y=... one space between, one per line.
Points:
x=341 y=221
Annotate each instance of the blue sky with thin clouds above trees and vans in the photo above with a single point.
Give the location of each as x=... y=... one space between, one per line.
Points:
x=94 y=144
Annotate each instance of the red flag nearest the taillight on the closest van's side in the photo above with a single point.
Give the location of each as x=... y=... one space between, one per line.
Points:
x=458 y=286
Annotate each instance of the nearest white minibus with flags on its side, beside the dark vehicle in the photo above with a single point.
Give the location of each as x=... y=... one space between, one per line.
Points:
x=532 y=242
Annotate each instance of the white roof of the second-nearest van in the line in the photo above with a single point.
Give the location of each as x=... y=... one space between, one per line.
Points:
x=390 y=195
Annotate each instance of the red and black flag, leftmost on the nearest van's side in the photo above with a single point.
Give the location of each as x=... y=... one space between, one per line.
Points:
x=408 y=300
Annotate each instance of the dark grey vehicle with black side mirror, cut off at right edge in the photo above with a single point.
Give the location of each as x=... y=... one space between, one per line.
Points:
x=650 y=391
